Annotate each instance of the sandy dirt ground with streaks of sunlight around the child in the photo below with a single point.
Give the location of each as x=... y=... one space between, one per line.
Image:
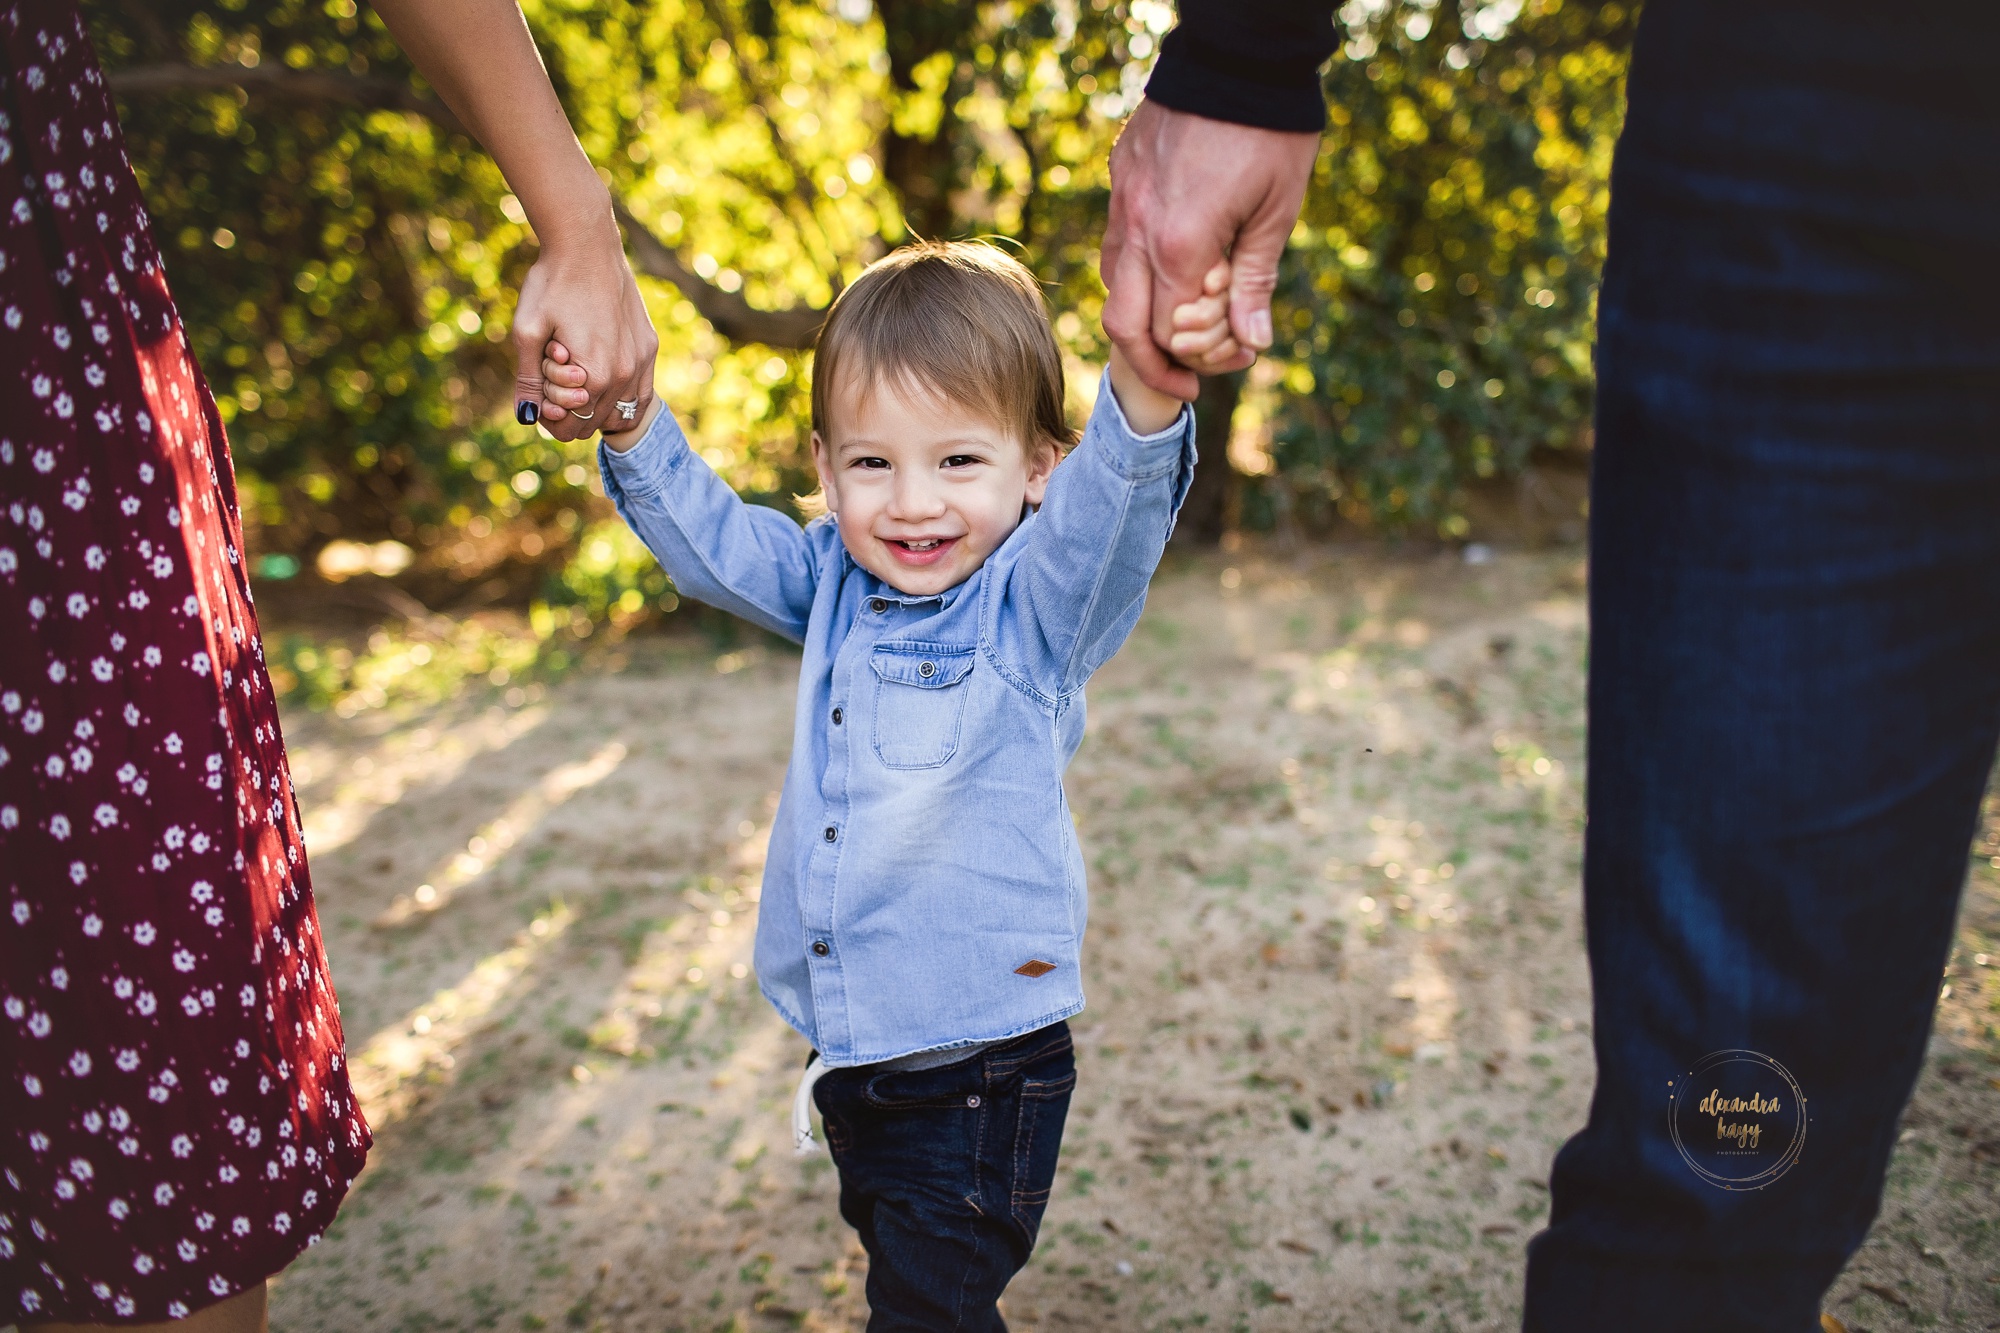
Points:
x=1339 y=1010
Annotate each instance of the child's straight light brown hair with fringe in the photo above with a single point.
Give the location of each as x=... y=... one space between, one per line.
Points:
x=959 y=319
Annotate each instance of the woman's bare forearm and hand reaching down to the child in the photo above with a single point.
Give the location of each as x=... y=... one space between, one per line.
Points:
x=581 y=291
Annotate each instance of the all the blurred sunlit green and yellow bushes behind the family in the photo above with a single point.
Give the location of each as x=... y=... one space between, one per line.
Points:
x=345 y=259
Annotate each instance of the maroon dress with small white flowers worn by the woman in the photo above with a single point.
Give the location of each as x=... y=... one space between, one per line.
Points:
x=175 y=1110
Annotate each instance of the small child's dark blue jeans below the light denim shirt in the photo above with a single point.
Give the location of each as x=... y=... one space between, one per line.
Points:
x=947 y=1172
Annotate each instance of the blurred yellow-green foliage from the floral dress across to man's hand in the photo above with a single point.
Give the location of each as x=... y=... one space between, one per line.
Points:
x=347 y=271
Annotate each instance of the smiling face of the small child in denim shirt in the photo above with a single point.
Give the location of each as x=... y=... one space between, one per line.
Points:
x=923 y=487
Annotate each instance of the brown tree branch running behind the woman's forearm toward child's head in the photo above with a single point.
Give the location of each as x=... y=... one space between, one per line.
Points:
x=731 y=315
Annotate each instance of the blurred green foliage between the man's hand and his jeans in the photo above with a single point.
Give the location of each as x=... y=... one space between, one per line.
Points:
x=1443 y=279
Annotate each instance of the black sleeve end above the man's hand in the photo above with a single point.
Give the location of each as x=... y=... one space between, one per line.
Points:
x=1249 y=61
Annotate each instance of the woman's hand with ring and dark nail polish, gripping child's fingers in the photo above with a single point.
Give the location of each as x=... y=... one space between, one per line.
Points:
x=581 y=299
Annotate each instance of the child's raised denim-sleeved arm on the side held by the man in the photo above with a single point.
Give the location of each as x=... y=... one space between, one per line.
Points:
x=1077 y=589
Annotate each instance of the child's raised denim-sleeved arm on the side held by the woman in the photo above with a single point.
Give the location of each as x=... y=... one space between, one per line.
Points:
x=745 y=559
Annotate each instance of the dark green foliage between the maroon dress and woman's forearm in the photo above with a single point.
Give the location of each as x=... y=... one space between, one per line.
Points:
x=343 y=273
